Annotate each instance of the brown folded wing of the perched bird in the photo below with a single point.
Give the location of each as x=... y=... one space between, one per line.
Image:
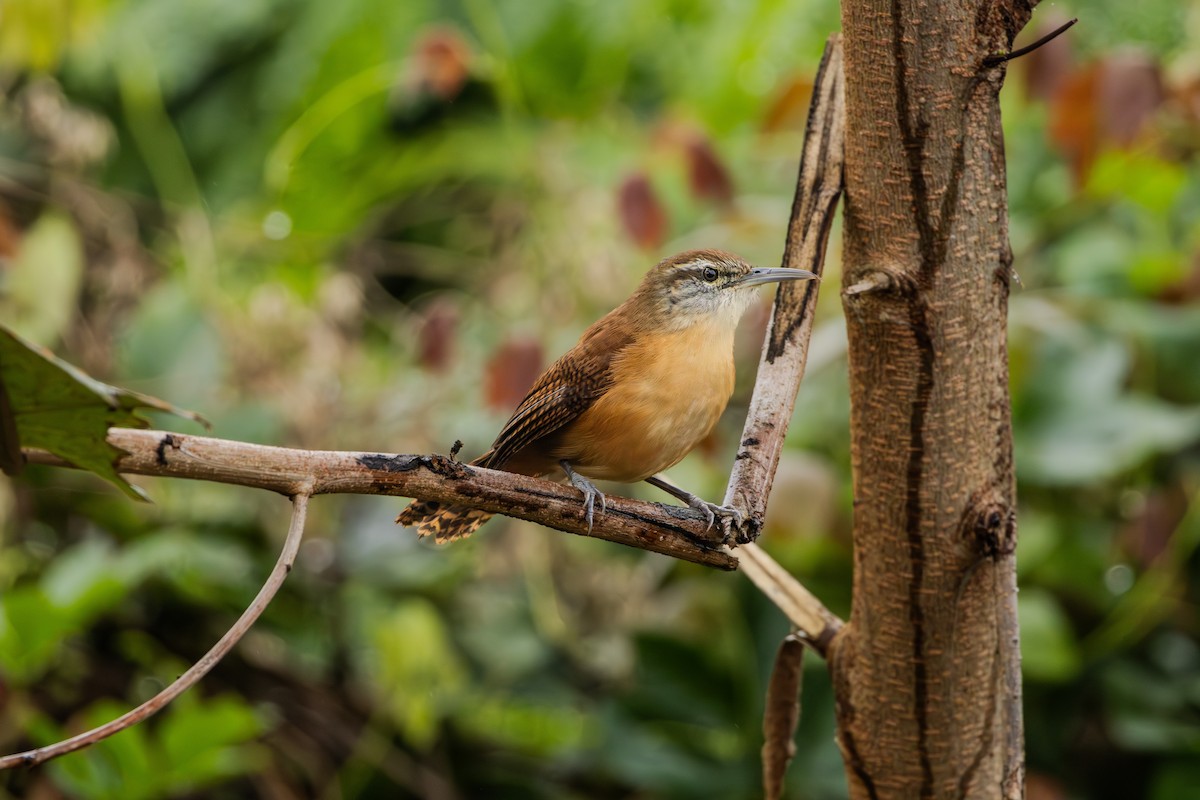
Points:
x=565 y=392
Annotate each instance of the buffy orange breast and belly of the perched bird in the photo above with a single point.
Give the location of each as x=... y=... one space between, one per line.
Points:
x=668 y=393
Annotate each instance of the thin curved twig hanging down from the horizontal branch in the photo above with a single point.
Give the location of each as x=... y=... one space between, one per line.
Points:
x=189 y=679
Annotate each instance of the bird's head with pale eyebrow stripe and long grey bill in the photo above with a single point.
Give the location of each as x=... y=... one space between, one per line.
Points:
x=707 y=286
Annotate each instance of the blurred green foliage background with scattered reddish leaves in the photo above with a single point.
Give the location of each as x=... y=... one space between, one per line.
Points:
x=368 y=225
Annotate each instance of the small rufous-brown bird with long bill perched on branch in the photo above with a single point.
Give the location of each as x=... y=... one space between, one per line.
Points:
x=641 y=388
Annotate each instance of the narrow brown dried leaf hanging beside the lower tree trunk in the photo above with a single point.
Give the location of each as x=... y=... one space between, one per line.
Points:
x=782 y=715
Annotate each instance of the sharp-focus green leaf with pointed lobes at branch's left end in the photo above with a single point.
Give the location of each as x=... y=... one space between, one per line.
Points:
x=59 y=408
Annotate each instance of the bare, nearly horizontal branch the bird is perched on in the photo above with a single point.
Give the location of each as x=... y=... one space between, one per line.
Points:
x=671 y=531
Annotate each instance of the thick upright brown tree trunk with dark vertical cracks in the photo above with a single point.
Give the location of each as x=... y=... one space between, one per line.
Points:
x=928 y=670
